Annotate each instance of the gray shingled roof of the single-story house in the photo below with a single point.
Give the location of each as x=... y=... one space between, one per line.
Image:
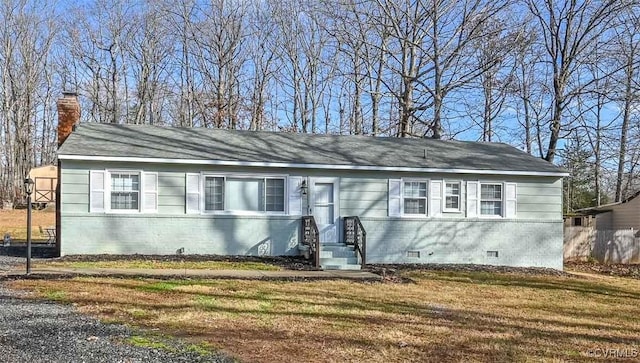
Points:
x=145 y=141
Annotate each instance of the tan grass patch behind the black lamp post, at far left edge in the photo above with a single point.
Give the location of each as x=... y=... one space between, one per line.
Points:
x=14 y=222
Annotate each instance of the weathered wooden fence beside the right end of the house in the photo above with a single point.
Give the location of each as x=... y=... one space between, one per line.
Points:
x=605 y=246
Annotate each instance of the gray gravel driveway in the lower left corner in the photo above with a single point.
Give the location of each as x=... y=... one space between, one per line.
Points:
x=37 y=331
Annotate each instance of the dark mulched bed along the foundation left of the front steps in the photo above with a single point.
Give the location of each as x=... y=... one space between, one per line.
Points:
x=296 y=263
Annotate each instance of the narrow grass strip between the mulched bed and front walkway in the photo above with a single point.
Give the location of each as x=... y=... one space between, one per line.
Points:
x=155 y=264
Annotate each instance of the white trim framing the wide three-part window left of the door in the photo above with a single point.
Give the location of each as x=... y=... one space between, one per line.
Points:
x=204 y=175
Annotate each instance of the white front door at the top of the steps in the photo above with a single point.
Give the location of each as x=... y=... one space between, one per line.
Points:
x=324 y=208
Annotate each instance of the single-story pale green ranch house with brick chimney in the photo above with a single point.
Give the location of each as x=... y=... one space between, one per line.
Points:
x=145 y=189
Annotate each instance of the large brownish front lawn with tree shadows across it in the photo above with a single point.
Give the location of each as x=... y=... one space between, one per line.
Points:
x=443 y=316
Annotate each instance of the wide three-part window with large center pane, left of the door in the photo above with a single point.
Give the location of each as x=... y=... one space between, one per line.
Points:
x=244 y=194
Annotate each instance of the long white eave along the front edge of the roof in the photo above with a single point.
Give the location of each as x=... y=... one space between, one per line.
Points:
x=307 y=166
